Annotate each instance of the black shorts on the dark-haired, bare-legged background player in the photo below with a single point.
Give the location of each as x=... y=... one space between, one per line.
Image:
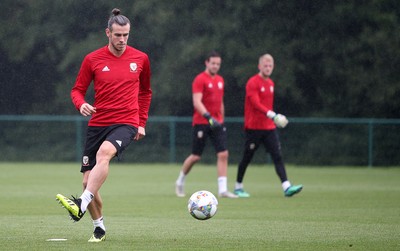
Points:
x=202 y=132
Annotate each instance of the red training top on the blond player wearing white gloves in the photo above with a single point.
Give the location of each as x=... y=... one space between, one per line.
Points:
x=259 y=100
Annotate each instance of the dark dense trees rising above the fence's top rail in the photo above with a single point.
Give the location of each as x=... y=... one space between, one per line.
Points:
x=333 y=58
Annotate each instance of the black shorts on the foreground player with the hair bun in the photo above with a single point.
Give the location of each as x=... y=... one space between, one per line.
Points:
x=119 y=135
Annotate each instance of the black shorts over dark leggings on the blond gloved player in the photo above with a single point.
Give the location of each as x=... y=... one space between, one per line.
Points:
x=269 y=138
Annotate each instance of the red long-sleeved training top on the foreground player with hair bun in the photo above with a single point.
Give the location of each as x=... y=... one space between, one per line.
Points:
x=121 y=85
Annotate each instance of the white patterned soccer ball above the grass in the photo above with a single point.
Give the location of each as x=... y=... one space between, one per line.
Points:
x=202 y=205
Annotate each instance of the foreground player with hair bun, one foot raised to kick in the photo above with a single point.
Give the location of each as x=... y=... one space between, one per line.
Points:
x=121 y=78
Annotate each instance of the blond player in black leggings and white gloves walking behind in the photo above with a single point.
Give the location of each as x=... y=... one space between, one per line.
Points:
x=260 y=122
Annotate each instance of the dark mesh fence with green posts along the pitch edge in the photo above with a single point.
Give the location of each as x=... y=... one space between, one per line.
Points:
x=305 y=141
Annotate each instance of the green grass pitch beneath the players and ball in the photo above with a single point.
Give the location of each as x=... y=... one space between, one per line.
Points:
x=340 y=208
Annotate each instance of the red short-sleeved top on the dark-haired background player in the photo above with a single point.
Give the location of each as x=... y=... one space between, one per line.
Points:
x=212 y=88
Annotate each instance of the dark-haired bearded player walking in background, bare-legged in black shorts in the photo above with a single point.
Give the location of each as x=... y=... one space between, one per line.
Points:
x=208 y=119
